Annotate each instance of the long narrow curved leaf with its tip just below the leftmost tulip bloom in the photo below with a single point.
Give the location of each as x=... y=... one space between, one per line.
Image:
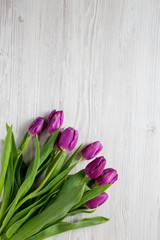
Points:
x=26 y=185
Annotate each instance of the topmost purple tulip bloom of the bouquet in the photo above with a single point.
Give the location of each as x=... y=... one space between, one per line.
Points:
x=54 y=121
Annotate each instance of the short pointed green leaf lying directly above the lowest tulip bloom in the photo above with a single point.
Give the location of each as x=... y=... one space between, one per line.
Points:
x=91 y=194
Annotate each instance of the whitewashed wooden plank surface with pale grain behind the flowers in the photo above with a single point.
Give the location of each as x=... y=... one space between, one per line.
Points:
x=99 y=60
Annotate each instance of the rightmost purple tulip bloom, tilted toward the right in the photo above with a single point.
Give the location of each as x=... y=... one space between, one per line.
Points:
x=108 y=176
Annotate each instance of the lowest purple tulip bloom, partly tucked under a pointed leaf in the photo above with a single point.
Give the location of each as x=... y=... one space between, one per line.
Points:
x=97 y=201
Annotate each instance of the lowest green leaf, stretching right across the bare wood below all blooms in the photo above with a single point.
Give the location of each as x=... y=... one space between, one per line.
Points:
x=65 y=226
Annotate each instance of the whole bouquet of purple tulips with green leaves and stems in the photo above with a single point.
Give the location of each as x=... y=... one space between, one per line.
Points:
x=38 y=197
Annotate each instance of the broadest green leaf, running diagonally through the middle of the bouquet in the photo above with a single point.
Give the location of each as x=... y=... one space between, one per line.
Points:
x=51 y=214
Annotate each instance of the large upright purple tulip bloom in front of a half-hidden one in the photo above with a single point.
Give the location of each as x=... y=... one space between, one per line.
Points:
x=68 y=139
